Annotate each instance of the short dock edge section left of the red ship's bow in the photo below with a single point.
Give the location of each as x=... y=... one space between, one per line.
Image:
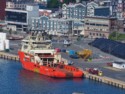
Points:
x=9 y=56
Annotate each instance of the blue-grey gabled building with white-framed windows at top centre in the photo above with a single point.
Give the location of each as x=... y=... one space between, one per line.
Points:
x=74 y=11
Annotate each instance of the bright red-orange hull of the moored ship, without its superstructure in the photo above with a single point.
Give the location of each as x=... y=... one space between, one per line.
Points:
x=57 y=72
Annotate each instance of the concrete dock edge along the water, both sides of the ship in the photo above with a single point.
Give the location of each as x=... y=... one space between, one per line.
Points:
x=101 y=79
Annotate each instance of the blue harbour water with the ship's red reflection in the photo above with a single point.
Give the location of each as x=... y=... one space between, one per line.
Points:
x=15 y=80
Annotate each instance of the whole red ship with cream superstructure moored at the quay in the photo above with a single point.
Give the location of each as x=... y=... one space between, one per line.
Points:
x=45 y=60
